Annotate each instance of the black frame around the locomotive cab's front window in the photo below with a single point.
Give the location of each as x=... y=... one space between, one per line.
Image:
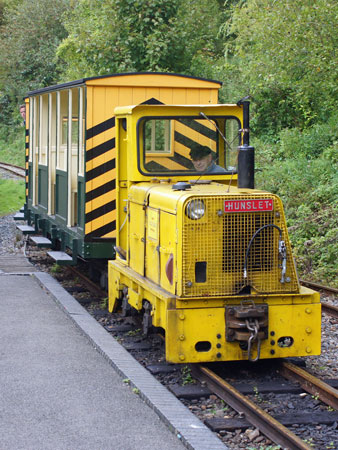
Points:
x=141 y=154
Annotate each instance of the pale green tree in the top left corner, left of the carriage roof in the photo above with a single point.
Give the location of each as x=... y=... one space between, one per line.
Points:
x=29 y=36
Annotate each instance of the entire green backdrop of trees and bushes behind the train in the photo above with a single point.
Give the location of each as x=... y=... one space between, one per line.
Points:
x=282 y=54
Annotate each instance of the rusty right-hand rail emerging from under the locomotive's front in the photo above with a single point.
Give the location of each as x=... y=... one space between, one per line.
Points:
x=309 y=383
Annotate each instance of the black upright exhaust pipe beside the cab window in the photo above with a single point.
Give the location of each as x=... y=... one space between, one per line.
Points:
x=246 y=153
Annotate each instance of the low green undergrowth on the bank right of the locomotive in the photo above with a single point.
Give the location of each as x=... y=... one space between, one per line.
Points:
x=309 y=191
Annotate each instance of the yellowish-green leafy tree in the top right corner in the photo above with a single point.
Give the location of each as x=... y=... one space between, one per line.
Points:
x=285 y=55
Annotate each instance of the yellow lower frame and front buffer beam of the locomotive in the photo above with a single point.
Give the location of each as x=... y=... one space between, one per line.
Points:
x=188 y=323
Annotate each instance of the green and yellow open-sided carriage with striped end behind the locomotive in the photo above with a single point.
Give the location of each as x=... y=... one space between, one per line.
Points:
x=71 y=155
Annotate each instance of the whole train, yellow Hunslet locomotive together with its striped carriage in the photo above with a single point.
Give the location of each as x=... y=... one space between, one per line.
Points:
x=166 y=187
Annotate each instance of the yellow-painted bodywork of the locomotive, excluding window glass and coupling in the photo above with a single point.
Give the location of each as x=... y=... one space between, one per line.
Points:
x=191 y=271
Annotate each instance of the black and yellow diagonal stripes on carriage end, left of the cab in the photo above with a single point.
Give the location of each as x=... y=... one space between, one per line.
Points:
x=100 y=207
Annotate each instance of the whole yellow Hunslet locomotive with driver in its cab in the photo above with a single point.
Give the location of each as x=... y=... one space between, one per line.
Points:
x=199 y=251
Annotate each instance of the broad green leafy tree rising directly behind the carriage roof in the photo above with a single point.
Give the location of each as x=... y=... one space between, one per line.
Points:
x=141 y=35
